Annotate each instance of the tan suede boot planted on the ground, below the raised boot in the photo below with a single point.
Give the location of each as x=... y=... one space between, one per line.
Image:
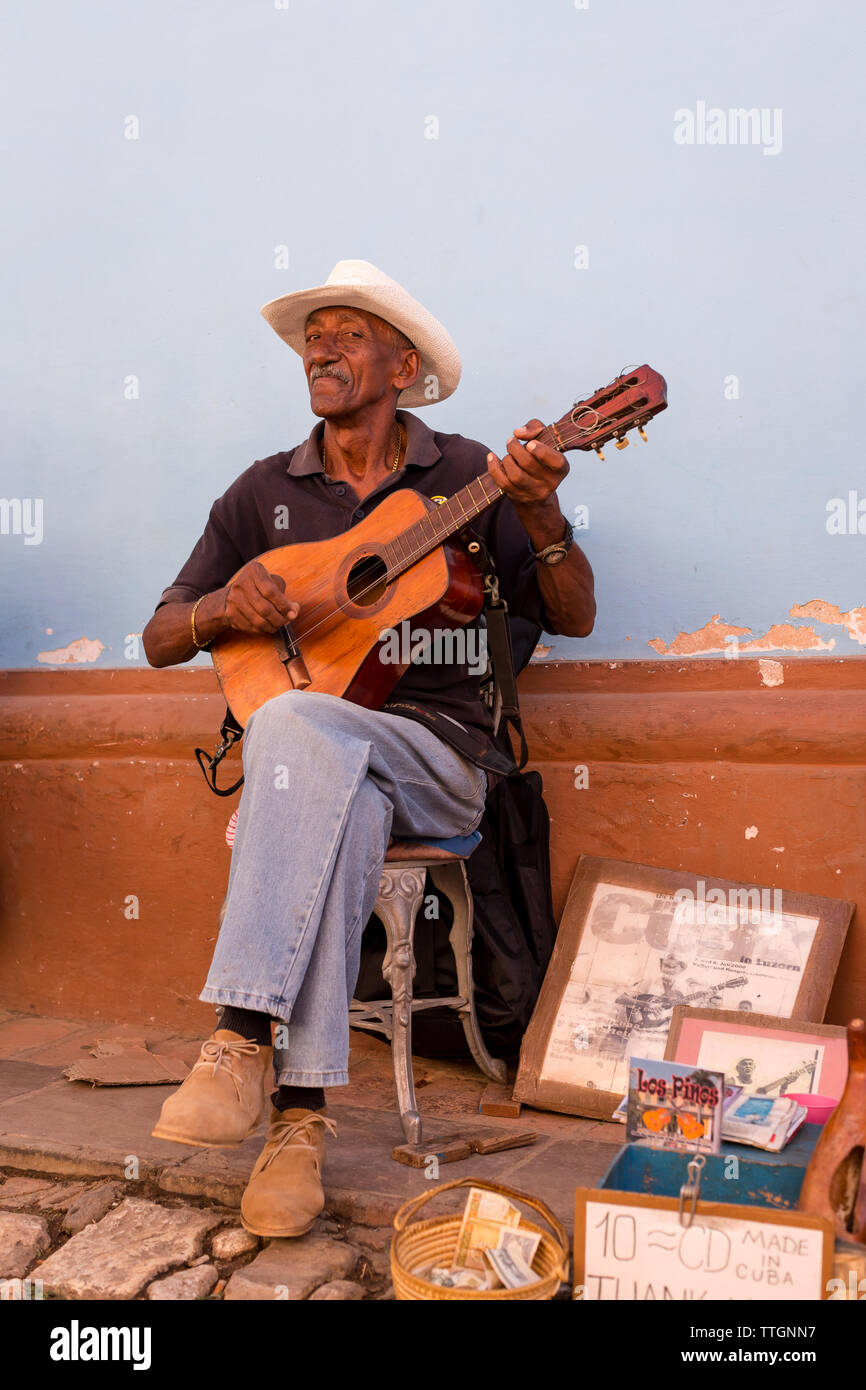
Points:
x=284 y=1195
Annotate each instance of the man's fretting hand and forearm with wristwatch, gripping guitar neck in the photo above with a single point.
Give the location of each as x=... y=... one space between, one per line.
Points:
x=530 y=475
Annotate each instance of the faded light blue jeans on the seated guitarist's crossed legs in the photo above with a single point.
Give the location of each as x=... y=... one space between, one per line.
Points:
x=326 y=785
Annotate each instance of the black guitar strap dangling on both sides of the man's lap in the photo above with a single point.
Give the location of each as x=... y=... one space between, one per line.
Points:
x=501 y=697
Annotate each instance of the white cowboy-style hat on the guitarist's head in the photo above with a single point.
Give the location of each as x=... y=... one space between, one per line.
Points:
x=361 y=286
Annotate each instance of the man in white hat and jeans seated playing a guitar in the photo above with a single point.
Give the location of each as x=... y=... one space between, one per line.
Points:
x=327 y=783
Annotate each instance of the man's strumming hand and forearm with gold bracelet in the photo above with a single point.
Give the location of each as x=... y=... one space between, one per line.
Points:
x=255 y=601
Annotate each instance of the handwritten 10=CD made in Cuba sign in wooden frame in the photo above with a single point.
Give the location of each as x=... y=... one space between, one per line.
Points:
x=630 y=1246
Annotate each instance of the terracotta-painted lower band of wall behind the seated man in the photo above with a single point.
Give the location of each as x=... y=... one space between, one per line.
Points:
x=689 y=765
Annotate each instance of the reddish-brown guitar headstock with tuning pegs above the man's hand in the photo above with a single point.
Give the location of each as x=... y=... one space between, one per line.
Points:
x=628 y=404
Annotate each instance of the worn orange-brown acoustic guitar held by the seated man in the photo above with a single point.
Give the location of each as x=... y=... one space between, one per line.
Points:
x=398 y=565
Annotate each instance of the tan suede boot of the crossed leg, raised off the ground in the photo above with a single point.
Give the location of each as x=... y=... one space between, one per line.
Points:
x=223 y=1100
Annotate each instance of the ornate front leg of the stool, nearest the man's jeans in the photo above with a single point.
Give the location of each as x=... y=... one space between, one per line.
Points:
x=400 y=900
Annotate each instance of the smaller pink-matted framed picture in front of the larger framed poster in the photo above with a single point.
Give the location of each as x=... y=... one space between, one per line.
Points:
x=760 y=1053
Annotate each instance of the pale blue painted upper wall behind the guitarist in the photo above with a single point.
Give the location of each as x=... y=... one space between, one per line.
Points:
x=307 y=126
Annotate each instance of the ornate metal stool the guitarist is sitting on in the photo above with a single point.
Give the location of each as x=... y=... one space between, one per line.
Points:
x=398 y=904
